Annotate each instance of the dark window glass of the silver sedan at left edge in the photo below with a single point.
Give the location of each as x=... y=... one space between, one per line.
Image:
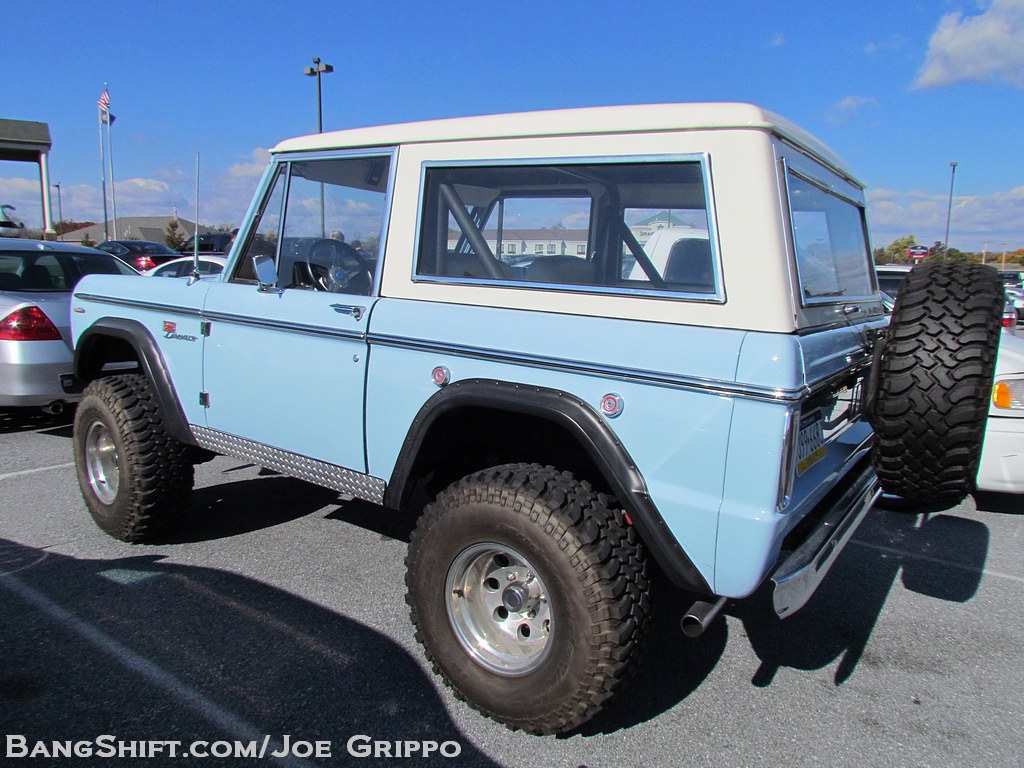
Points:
x=39 y=272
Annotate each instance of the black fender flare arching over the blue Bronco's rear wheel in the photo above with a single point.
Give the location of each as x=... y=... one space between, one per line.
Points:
x=589 y=430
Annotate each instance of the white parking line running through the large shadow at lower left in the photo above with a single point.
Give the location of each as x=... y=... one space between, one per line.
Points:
x=194 y=700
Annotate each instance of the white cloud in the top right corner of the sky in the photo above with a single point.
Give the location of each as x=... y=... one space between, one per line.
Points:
x=986 y=48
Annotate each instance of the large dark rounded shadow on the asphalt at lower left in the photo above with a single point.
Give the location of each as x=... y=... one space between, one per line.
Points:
x=147 y=651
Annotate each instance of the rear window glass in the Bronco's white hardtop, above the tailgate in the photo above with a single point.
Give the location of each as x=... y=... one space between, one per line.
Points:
x=834 y=259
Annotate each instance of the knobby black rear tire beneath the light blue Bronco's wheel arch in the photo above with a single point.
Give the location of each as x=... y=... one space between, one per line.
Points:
x=593 y=569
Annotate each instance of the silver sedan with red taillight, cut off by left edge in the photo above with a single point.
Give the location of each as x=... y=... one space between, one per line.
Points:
x=36 y=281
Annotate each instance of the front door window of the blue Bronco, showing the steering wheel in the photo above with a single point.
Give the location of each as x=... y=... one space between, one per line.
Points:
x=324 y=223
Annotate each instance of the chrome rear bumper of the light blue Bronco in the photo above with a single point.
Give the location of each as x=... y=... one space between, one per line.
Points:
x=804 y=568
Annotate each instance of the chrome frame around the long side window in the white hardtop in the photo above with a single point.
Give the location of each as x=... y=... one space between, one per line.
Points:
x=703 y=159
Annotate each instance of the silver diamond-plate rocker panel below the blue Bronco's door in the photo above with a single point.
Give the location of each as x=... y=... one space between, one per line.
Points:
x=349 y=482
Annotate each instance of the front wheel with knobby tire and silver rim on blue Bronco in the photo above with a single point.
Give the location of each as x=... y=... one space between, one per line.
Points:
x=136 y=479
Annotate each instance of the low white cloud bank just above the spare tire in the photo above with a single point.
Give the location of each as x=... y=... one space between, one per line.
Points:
x=997 y=219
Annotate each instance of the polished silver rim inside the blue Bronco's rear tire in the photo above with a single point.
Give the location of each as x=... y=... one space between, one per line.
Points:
x=499 y=609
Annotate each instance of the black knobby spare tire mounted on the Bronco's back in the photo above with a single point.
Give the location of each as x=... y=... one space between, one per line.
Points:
x=934 y=381
